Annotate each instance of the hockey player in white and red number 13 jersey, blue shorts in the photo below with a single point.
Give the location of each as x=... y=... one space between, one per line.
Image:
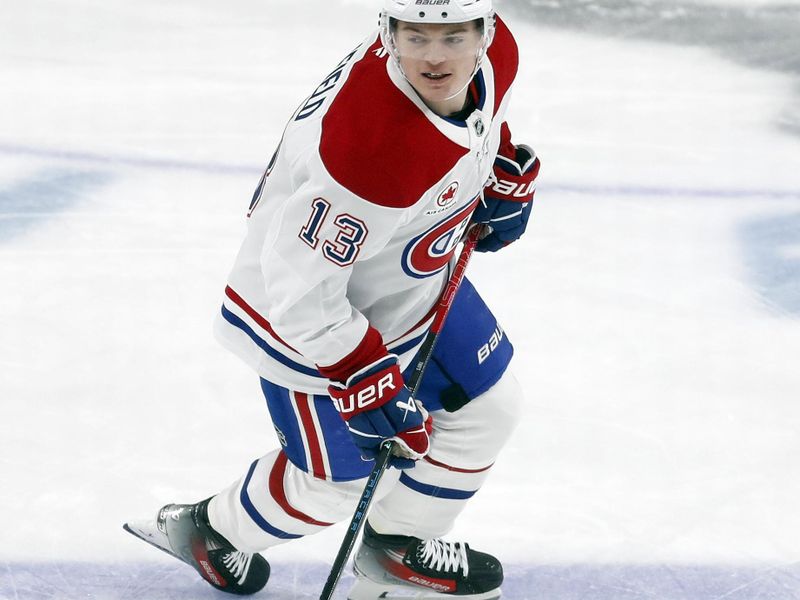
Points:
x=352 y=233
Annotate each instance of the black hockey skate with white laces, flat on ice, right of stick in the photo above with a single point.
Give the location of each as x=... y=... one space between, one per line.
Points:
x=394 y=566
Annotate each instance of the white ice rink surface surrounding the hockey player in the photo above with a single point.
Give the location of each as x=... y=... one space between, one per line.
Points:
x=654 y=304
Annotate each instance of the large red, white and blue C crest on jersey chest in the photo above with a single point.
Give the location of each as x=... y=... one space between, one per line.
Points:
x=429 y=252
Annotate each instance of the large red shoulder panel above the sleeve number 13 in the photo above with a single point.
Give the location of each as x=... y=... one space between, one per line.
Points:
x=377 y=143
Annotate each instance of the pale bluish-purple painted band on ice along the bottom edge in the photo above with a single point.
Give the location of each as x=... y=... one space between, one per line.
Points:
x=300 y=581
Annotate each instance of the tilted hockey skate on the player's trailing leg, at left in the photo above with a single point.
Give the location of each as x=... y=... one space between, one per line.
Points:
x=182 y=530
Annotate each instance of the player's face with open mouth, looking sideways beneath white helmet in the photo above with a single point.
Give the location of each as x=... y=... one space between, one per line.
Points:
x=438 y=60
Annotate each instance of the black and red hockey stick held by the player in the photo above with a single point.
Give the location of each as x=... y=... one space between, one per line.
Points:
x=382 y=461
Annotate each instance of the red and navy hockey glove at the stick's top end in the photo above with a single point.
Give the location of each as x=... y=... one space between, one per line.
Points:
x=508 y=199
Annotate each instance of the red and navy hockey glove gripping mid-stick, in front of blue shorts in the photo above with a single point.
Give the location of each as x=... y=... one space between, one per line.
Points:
x=377 y=406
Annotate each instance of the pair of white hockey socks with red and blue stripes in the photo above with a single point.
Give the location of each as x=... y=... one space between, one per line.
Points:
x=276 y=501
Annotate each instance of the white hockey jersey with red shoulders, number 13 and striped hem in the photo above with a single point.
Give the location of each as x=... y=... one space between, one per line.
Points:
x=355 y=223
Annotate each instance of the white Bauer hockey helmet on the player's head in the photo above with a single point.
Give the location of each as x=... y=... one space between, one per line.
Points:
x=437 y=12
